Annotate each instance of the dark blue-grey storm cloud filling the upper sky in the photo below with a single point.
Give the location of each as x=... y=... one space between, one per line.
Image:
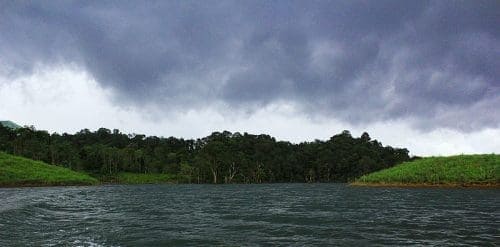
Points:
x=435 y=62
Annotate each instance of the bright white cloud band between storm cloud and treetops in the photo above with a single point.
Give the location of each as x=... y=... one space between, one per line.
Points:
x=66 y=99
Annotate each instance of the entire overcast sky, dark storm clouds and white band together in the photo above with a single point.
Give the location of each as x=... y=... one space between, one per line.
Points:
x=424 y=75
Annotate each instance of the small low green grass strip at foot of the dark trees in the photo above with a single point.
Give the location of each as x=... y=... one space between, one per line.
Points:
x=146 y=178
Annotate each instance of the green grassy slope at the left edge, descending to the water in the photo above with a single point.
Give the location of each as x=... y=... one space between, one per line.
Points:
x=18 y=171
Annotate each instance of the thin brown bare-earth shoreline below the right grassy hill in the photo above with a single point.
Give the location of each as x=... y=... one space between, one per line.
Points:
x=425 y=185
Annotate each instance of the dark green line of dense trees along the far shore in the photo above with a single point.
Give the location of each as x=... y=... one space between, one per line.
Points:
x=222 y=157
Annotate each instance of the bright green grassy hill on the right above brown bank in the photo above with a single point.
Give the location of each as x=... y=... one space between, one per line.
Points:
x=454 y=170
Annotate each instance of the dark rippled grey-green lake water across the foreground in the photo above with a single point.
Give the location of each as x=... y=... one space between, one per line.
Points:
x=253 y=215
